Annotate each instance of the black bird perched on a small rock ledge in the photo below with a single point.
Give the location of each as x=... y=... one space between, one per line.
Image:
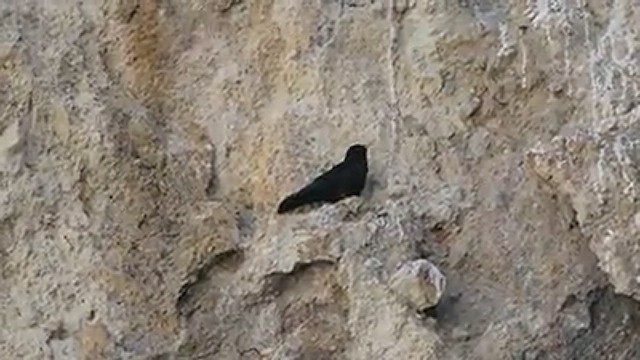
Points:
x=341 y=181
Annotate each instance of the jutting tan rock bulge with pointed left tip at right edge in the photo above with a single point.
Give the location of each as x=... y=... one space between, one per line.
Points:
x=598 y=170
